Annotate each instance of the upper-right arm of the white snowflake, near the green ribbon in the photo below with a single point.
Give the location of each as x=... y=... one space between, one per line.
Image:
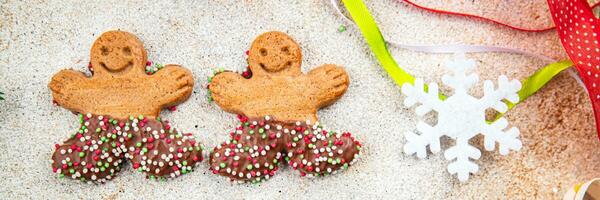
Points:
x=506 y=90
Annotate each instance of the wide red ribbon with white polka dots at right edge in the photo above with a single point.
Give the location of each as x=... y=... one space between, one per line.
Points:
x=578 y=30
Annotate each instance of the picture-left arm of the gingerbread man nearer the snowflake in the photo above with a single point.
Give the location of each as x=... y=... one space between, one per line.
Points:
x=229 y=91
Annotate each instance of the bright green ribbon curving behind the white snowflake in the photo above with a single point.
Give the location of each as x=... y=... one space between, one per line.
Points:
x=365 y=22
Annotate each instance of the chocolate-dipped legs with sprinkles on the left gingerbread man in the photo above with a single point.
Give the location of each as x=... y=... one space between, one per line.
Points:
x=98 y=149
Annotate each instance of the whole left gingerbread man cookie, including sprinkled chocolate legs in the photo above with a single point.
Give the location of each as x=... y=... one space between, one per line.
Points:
x=119 y=108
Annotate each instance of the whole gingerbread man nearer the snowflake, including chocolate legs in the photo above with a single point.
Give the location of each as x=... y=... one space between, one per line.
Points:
x=277 y=107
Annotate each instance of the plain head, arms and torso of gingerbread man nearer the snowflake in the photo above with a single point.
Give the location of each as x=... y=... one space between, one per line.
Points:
x=277 y=87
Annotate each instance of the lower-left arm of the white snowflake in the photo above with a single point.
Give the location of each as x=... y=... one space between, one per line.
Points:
x=418 y=143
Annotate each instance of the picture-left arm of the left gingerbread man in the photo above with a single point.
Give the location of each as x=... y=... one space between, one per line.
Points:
x=64 y=85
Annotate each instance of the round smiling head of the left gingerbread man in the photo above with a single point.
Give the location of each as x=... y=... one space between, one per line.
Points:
x=117 y=52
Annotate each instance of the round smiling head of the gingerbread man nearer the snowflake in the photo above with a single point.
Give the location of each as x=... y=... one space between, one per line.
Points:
x=275 y=53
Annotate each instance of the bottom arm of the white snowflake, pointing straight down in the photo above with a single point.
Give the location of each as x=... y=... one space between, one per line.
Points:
x=462 y=152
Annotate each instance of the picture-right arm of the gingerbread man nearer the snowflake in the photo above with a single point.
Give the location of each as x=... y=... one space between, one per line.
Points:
x=329 y=82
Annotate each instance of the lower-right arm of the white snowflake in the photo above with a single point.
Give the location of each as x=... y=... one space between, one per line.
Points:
x=507 y=141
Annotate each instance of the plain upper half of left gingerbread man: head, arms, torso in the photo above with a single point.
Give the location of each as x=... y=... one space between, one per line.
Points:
x=119 y=86
